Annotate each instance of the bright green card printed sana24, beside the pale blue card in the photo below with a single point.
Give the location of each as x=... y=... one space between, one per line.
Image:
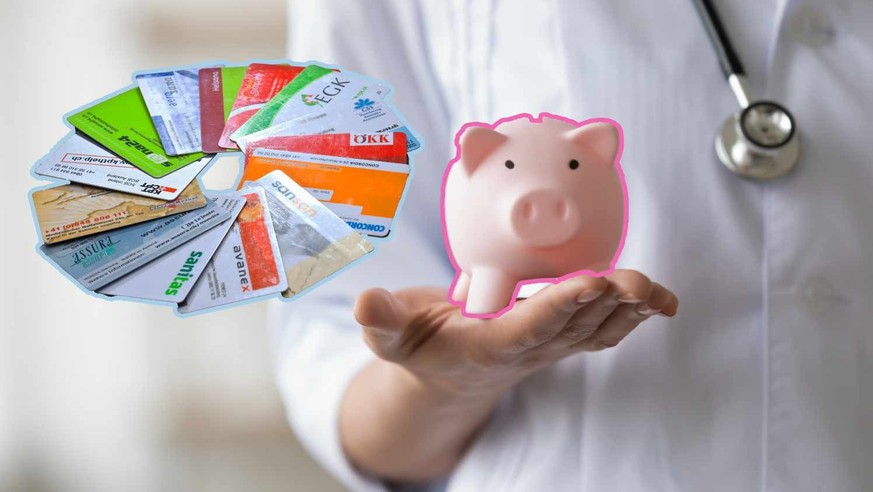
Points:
x=123 y=125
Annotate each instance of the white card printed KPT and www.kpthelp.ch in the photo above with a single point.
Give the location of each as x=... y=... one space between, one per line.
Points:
x=80 y=160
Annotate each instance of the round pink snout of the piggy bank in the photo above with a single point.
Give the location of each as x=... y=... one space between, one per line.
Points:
x=544 y=218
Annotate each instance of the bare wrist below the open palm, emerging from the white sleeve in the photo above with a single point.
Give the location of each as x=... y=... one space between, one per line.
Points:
x=397 y=425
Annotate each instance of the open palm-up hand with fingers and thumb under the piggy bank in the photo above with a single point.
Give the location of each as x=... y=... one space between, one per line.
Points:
x=421 y=331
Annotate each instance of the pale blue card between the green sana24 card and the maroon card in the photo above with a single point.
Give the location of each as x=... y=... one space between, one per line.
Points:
x=173 y=100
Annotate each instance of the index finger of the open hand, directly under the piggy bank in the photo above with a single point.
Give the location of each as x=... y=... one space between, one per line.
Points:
x=539 y=318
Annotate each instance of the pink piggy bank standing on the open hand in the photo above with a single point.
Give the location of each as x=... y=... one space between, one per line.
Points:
x=531 y=200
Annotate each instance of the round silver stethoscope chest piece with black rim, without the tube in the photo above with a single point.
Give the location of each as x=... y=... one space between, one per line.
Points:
x=760 y=142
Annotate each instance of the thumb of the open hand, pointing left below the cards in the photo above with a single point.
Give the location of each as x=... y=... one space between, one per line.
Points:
x=384 y=319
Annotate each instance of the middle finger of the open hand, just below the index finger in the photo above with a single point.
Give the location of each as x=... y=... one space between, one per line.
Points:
x=626 y=286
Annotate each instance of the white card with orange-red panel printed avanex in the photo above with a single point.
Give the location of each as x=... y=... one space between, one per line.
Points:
x=246 y=265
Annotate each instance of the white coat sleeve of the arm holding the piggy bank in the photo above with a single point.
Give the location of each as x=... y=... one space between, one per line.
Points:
x=318 y=345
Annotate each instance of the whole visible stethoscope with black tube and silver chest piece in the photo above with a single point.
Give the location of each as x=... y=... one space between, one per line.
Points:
x=760 y=141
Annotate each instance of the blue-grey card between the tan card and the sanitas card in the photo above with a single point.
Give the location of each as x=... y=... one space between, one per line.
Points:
x=96 y=260
